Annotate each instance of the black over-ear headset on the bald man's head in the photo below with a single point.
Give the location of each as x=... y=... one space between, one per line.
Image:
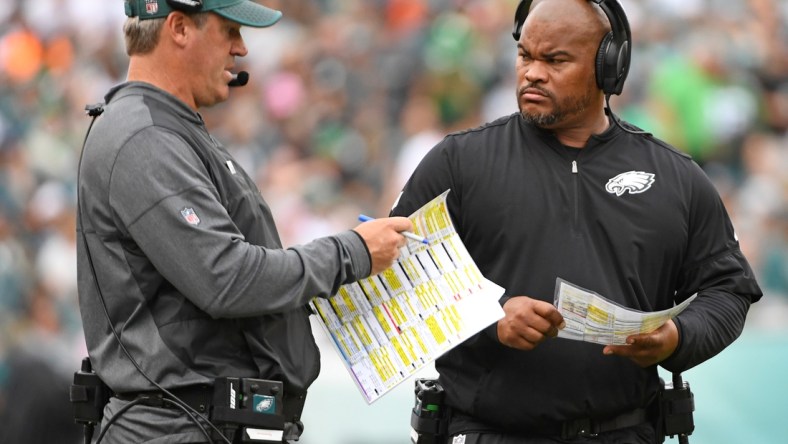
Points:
x=613 y=56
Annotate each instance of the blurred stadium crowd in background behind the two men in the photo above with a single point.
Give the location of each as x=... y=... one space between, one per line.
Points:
x=345 y=97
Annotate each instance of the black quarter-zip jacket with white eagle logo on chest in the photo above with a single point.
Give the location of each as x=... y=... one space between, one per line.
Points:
x=629 y=217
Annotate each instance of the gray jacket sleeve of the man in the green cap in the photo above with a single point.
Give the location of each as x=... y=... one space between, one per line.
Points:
x=165 y=201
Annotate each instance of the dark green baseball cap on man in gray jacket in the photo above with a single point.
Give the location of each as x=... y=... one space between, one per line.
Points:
x=244 y=12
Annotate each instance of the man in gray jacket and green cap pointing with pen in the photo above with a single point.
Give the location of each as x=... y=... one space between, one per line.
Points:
x=182 y=275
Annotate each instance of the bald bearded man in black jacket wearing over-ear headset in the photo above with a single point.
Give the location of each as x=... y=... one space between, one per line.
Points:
x=563 y=190
